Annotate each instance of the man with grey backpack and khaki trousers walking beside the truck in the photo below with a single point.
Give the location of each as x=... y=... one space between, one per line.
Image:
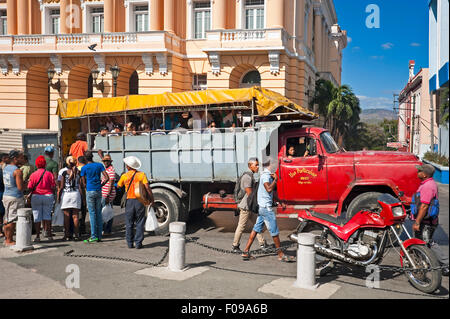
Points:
x=244 y=187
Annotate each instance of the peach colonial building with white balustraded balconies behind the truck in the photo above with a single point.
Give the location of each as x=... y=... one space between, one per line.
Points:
x=52 y=49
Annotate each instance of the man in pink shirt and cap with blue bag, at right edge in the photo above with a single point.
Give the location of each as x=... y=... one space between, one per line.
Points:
x=425 y=211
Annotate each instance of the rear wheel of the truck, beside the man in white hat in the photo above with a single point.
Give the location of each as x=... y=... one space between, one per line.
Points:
x=167 y=209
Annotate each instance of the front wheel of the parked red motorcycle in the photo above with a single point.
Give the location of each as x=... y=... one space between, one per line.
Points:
x=423 y=257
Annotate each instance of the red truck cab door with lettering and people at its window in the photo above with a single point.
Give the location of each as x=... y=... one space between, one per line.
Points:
x=303 y=172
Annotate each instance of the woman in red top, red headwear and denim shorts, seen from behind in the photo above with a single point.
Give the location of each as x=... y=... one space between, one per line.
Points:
x=42 y=184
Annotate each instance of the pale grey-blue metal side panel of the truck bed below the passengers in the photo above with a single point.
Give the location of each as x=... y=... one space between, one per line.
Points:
x=192 y=156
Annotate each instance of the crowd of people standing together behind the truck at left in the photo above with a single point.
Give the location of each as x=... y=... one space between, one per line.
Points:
x=82 y=186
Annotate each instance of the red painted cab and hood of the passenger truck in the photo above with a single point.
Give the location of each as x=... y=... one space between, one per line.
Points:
x=330 y=180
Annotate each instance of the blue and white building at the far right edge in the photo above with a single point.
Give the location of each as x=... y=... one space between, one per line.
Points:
x=438 y=65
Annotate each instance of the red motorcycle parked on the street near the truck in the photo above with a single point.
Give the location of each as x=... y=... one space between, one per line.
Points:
x=362 y=240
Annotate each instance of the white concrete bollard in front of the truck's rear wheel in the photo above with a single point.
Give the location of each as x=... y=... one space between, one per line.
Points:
x=177 y=246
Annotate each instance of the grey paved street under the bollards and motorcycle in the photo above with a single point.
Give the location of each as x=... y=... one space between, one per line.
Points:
x=42 y=273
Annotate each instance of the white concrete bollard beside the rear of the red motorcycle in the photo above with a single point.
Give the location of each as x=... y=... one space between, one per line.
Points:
x=306 y=262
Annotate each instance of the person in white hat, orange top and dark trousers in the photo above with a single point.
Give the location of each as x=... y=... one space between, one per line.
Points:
x=134 y=209
